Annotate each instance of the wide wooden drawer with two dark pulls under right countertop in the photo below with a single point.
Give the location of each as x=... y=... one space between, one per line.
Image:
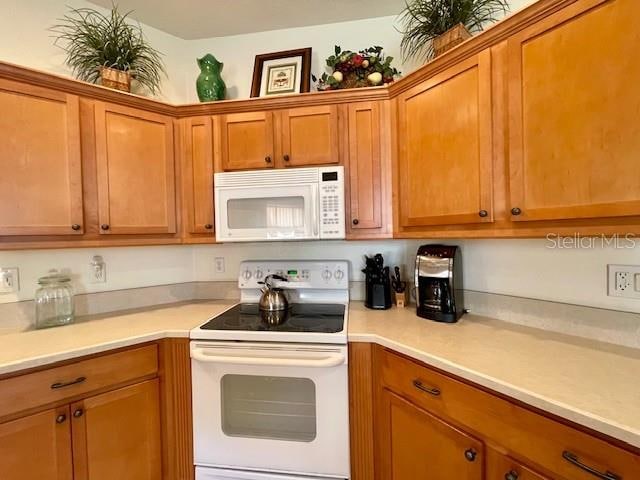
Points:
x=527 y=436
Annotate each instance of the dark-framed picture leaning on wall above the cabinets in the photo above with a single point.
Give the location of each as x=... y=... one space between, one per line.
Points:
x=280 y=73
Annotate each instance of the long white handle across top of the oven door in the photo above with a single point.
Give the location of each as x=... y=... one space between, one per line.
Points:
x=328 y=360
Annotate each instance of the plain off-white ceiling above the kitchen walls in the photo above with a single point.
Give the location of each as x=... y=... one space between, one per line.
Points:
x=193 y=19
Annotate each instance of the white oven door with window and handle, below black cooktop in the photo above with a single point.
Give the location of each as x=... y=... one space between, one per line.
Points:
x=271 y=407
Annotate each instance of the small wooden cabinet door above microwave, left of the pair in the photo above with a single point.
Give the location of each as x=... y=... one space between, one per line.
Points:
x=247 y=140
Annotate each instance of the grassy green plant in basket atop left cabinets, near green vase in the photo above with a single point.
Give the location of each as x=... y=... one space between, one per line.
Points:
x=109 y=49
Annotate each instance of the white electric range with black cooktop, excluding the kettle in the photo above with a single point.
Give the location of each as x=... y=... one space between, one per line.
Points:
x=270 y=401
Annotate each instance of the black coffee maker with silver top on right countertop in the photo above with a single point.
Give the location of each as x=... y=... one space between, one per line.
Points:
x=438 y=280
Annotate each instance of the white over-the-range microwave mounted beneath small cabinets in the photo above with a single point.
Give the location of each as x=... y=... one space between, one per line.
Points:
x=287 y=204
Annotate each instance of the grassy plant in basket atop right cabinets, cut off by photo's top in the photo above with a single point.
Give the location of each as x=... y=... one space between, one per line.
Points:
x=432 y=27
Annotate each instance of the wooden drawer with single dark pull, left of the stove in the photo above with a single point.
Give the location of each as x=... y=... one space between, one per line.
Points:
x=59 y=383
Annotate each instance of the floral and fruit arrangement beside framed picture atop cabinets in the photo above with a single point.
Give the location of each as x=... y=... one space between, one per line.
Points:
x=366 y=68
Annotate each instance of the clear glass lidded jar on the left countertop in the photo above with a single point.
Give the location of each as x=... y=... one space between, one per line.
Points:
x=54 y=300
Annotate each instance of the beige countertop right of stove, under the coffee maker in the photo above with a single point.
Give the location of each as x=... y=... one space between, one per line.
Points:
x=591 y=383
